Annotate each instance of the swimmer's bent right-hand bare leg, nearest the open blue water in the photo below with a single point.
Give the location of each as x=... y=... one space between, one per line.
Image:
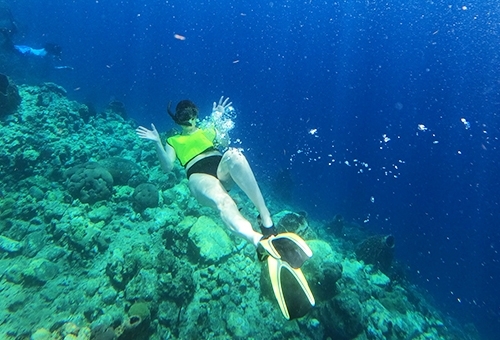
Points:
x=234 y=166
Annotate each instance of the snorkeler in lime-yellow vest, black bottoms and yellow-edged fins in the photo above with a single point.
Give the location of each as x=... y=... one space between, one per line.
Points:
x=210 y=173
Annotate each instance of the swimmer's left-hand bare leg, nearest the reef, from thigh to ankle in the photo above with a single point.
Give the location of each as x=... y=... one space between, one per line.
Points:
x=209 y=191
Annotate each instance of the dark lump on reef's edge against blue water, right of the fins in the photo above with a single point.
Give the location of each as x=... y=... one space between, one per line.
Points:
x=377 y=250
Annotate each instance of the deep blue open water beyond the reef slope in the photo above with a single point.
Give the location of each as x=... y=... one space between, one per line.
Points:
x=386 y=112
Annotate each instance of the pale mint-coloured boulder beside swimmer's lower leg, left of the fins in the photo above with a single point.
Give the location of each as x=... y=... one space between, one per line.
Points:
x=211 y=240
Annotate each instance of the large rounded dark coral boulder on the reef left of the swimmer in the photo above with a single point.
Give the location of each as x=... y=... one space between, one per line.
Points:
x=89 y=182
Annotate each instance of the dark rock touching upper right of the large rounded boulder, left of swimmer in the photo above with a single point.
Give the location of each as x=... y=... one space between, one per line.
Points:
x=124 y=171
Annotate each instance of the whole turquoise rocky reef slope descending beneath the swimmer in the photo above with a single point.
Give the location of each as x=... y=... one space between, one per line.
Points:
x=97 y=243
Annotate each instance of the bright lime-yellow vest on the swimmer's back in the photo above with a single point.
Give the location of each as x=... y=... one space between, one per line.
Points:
x=188 y=147
